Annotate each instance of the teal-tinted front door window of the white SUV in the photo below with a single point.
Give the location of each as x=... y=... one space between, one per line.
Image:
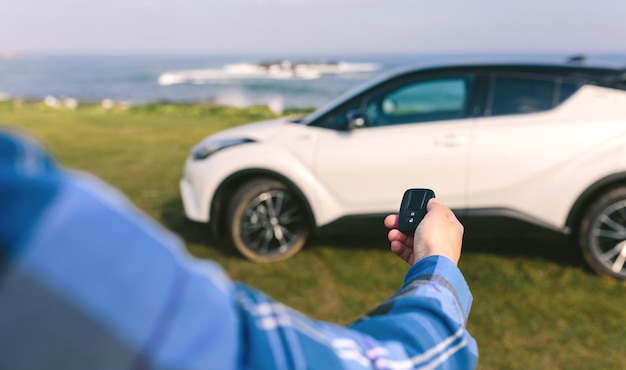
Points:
x=419 y=101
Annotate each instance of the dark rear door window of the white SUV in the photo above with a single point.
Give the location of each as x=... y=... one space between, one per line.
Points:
x=513 y=95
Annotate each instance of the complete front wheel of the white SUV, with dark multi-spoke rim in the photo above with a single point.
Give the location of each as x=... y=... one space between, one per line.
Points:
x=268 y=221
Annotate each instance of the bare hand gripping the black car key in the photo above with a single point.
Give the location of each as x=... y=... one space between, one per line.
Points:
x=439 y=233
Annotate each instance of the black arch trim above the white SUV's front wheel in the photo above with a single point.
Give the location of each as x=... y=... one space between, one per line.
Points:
x=229 y=186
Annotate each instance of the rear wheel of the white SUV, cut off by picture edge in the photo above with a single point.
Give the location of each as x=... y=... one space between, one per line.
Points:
x=602 y=234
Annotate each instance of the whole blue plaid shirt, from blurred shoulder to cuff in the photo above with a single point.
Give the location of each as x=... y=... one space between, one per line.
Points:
x=89 y=282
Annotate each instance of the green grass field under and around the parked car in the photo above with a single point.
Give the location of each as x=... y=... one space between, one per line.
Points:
x=536 y=305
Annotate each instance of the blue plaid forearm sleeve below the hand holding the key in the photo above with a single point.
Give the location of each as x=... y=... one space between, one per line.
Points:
x=422 y=326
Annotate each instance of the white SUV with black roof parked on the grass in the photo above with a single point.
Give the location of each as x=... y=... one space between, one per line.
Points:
x=542 y=146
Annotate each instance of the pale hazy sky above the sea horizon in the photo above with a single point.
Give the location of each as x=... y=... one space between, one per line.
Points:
x=313 y=26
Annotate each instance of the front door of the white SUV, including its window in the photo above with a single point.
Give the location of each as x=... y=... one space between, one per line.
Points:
x=416 y=134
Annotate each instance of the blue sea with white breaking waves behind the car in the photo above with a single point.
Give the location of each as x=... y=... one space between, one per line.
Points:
x=284 y=81
